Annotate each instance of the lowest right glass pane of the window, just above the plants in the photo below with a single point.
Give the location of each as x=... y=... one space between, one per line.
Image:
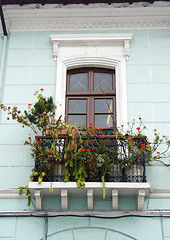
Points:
x=104 y=121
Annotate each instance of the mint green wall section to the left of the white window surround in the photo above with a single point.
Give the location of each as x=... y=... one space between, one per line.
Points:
x=29 y=67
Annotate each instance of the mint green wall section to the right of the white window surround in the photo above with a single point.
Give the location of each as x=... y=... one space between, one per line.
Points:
x=148 y=79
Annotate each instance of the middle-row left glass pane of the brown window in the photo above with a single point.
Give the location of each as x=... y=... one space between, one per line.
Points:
x=77 y=106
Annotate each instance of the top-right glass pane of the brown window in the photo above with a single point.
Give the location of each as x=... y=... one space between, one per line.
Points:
x=103 y=80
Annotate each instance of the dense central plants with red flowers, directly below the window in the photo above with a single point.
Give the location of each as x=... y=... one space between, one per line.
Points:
x=87 y=156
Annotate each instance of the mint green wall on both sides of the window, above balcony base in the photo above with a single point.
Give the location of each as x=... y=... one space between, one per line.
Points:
x=30 y=66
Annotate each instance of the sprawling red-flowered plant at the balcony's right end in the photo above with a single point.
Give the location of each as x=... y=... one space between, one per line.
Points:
x=153 y=150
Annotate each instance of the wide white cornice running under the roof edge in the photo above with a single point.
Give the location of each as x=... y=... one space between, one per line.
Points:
x=86 y=18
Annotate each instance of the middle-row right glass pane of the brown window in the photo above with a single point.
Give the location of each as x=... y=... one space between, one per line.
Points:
x=103 y=105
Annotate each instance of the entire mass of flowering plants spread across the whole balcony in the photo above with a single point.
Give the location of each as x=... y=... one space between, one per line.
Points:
x=86 y=153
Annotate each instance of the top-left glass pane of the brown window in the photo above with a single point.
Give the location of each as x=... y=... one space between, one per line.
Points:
x=78 y=82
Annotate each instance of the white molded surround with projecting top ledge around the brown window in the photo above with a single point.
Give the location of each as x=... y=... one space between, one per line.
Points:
x=92 y=50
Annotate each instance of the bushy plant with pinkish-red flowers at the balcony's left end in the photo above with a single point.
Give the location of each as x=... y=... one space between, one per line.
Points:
x=39 y=118
